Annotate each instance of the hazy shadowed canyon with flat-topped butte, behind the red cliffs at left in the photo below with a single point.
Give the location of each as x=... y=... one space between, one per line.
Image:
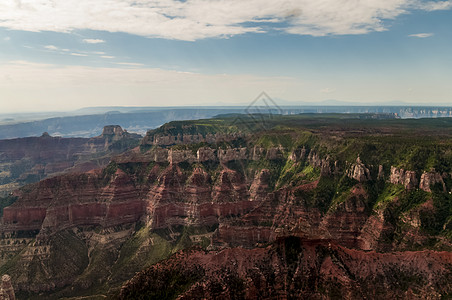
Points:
x=27 y=160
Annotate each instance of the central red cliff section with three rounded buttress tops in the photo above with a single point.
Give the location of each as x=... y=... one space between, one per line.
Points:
x=195 y=200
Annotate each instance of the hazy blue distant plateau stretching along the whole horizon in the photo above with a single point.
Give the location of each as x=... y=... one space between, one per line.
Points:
x=88 y=122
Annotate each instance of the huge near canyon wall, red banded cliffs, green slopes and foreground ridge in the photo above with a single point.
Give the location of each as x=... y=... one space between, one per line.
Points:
x=261 y=214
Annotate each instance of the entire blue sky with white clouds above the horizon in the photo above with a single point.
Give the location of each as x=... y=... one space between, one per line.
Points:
x=67 y=54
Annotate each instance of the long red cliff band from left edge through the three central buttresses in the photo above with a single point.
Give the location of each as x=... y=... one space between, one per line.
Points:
x=171 y=197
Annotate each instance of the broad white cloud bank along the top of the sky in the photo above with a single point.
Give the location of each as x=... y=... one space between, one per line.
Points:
x=198 y=19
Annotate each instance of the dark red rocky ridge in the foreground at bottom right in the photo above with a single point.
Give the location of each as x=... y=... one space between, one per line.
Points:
x=292 y=266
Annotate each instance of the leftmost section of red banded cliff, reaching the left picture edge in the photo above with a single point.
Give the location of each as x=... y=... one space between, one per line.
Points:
x=71 y=200
